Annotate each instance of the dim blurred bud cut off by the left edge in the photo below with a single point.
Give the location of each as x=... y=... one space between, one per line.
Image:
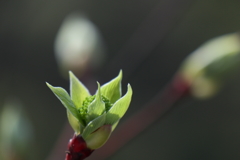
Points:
x=16 y=133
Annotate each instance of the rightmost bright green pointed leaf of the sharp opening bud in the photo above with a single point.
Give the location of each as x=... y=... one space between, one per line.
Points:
x=119 y=108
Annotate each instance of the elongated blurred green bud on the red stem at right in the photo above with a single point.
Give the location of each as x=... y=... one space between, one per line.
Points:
x=208 y=66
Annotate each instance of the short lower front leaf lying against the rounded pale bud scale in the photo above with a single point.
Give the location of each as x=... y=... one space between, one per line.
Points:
x=93 y=125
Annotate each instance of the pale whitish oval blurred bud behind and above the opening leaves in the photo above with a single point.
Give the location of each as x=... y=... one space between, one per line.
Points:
x=78 y=45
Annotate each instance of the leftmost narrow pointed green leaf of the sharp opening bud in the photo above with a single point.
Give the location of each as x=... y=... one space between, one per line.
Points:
x=63 y=96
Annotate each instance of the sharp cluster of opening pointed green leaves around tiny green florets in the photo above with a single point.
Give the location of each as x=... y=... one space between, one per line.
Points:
x=87 y=113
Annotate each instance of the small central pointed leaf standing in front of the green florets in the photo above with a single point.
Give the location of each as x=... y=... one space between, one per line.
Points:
x=97 y=107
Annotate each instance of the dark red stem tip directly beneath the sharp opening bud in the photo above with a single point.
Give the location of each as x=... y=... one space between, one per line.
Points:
x=77 y=149
